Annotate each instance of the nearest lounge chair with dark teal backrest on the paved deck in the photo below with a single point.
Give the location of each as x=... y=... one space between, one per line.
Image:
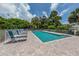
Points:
x=14 y=38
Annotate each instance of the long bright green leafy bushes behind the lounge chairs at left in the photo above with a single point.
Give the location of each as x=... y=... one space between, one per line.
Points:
x=13 y=23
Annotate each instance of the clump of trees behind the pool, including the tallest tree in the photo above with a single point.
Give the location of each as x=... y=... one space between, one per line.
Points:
x=44 y=22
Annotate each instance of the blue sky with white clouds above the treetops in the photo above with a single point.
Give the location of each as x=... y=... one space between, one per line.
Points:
x=28 y=11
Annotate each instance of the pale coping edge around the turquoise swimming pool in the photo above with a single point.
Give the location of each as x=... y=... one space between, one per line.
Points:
x=53 y=40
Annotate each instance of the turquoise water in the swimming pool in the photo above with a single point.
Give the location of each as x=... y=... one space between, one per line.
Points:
x=45 y=36
